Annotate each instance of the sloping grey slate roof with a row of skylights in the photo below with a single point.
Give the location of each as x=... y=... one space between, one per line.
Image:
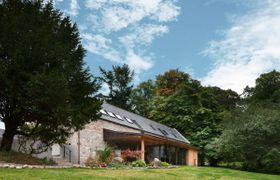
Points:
x=141 y=123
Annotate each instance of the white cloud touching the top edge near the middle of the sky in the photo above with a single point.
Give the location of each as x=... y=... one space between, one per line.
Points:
x=122 y=13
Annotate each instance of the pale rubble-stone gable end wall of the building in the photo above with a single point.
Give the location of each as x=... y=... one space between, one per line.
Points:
x=91 y=139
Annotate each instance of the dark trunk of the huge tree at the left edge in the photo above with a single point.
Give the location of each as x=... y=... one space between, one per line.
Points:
x=8 y=136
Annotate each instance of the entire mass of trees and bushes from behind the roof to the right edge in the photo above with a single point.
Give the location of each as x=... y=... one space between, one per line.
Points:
x=225 y=126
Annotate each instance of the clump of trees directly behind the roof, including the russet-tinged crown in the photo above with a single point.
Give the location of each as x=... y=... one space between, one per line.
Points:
x=177 y=100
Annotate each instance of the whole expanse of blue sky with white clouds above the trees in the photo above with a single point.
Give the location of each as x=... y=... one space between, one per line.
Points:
x=225 y=43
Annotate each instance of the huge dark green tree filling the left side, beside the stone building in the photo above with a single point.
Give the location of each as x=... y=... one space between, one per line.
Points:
x=46 y=93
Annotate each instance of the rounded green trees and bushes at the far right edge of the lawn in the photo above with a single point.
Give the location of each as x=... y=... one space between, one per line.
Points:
x=251 y=134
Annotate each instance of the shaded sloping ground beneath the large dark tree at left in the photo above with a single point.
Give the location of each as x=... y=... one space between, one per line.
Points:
x=20 y=158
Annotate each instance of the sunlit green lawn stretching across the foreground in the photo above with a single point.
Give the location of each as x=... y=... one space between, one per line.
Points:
x=183 y=172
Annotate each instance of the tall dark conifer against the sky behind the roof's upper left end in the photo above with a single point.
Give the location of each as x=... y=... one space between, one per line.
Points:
x=119 y=81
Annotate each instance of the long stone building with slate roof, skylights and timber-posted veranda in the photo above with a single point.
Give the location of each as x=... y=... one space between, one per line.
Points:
x=124 y=130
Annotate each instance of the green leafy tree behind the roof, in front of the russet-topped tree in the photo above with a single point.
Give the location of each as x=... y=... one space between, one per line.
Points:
x=184 y=111
